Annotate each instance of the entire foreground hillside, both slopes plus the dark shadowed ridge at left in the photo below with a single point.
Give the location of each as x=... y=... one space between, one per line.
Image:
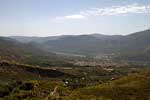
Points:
x=24 y=82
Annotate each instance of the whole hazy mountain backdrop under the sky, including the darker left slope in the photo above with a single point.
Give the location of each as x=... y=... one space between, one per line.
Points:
x=133 y=47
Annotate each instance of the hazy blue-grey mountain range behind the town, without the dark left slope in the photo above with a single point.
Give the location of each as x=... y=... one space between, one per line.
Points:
x=135 y=46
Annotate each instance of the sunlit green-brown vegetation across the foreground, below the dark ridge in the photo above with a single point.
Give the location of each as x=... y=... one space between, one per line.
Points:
x=132 y=87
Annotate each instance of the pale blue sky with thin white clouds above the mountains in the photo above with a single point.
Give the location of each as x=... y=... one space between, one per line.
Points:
x=73 y=17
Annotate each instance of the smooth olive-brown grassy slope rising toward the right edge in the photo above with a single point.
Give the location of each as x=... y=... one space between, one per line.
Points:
x=131 y=87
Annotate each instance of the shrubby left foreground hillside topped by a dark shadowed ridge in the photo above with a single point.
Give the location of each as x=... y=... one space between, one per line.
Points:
x=24 y=82
